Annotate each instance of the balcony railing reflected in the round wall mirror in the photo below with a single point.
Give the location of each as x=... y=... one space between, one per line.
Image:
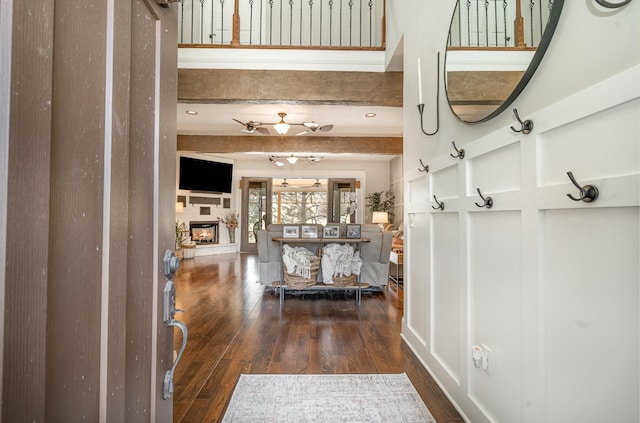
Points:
x=499 y=23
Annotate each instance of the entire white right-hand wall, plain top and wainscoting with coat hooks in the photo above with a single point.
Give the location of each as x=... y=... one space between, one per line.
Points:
x=550 y=285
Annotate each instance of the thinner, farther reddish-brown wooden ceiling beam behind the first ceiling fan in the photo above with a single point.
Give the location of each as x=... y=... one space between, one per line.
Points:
x=275 y=144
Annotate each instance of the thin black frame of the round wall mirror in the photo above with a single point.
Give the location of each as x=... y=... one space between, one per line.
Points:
x=550 y=29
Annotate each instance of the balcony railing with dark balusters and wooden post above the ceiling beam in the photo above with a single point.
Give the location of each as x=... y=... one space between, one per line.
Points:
x=283 y=23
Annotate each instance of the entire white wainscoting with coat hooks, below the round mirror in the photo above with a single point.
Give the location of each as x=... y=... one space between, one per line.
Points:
x=549 y=287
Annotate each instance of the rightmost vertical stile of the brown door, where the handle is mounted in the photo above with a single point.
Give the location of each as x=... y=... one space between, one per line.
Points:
x=152 y=162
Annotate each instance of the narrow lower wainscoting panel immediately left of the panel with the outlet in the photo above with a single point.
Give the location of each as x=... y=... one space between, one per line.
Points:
x=446 y=328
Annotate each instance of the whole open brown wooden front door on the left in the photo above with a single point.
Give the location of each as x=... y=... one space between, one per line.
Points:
x=89 y=213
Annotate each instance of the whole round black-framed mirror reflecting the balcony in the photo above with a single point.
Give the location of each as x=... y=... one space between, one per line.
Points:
x=493 y=49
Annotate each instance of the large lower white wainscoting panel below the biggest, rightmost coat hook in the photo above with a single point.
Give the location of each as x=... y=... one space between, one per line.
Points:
x=591 y=308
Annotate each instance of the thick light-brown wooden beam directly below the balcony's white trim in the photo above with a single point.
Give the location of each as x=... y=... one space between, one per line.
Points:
x=286 y=86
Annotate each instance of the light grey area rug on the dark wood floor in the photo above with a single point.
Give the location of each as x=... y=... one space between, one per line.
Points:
x=326 y=398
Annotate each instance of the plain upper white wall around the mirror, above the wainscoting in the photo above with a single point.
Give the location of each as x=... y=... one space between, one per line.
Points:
x=589 y=45
